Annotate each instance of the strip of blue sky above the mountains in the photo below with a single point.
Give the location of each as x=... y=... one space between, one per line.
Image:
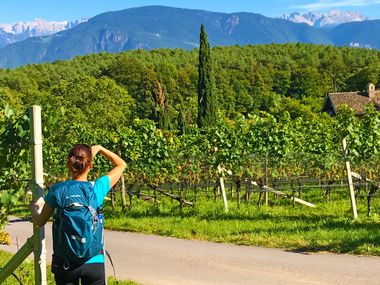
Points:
x=23 y=10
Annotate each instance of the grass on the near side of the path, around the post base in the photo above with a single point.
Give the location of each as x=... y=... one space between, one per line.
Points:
x=25 y=273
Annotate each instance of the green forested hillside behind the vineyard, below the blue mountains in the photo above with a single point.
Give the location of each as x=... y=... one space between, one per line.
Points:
x=161 y=84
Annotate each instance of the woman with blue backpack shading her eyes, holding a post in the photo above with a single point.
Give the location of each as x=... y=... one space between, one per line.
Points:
x=78 y=252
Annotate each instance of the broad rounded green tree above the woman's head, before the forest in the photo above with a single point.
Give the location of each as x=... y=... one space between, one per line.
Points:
x=94 y=103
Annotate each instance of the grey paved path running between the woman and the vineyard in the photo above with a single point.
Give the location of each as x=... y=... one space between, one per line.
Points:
x=161 y=260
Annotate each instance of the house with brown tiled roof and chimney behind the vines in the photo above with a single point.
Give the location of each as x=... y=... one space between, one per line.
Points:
x=354 y=100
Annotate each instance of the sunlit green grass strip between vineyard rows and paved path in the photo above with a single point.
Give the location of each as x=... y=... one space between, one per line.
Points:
x=329 y=227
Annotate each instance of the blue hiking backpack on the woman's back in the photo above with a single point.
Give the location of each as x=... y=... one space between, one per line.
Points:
x=77 y=229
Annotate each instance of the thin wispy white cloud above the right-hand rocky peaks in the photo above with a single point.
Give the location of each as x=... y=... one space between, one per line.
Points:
x=326 y=4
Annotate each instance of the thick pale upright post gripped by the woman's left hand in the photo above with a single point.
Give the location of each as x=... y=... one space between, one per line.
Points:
x=37 y=179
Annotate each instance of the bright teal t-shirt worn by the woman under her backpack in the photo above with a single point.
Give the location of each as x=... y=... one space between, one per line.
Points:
x=101 y=187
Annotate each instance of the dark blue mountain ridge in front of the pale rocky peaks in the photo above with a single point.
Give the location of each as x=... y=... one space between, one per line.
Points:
x=166 y=27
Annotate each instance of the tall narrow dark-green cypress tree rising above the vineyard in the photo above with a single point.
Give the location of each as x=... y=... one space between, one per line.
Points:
x=207 y=103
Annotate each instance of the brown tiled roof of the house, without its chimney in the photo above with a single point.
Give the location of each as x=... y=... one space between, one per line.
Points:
x=351 y=99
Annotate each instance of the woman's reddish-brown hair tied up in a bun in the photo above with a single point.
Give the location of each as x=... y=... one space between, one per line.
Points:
x=79 y=158
